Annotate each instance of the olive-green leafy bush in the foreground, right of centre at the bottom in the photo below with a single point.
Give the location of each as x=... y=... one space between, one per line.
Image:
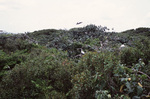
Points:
x=94 y=73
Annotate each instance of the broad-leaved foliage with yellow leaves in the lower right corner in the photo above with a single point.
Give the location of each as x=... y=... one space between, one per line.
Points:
x=132 y=80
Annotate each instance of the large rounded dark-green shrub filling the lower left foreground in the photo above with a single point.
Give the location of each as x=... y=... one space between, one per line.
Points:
x=44 y=74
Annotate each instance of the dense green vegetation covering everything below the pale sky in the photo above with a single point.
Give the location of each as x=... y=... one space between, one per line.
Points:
x=80 y=63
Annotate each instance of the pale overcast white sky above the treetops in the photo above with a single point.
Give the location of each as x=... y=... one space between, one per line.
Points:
x=19 y=16
